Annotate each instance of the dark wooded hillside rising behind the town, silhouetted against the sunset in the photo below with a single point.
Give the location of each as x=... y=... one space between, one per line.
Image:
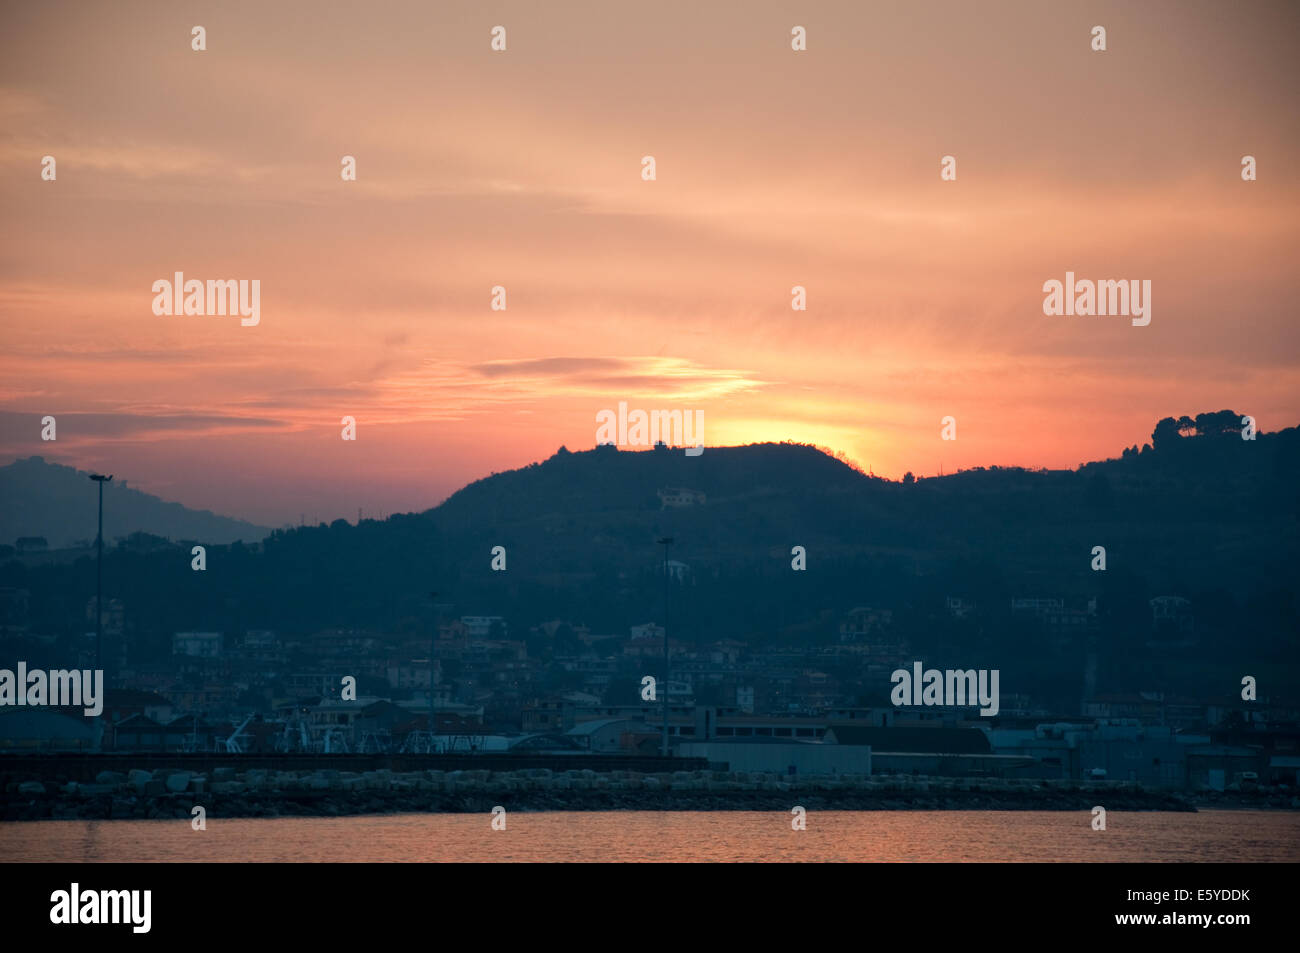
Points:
x=1208 y=518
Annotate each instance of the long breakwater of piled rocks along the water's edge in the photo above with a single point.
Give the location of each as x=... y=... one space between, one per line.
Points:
x=331 y=792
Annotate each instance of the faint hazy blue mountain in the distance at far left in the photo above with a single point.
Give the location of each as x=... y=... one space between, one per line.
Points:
x=59 y=504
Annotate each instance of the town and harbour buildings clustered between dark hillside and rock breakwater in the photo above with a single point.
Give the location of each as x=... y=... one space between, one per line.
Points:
x=473 y=686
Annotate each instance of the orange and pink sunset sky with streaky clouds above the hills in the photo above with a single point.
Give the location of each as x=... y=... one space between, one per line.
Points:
x=523 y=168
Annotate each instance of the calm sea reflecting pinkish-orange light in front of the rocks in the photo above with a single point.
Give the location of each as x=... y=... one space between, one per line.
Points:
x=1232 y=837
